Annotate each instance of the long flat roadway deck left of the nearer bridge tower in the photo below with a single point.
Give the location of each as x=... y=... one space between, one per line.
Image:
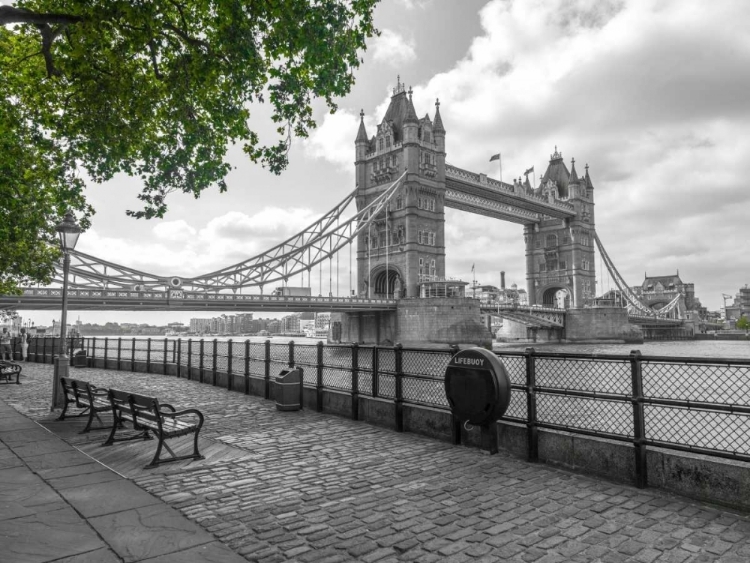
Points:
x=119 y=299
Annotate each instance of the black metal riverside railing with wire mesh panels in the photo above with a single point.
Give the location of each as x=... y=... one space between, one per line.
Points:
x=697 y=405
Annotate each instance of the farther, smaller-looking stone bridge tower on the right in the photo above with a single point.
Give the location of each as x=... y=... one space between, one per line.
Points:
x=560 y=253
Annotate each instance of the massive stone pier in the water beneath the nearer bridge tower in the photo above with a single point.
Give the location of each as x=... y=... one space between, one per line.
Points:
x=418 y=322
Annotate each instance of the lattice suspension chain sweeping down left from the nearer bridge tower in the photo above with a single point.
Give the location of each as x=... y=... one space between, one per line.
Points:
x=304 y=250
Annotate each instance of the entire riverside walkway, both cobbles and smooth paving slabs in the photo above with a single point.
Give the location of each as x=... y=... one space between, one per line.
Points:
x=302 y=486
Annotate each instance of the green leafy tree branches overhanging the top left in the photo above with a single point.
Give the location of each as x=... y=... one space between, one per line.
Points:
x=155 y=89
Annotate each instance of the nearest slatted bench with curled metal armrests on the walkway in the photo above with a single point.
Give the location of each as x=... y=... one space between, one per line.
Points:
x=147 y=417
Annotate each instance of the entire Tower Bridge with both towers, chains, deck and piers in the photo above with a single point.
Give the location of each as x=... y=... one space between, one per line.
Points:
x=395 y=243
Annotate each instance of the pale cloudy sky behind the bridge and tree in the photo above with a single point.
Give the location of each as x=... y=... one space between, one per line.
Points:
x=653 y=95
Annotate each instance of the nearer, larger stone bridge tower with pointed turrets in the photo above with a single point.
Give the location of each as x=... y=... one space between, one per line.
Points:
x=406 y=245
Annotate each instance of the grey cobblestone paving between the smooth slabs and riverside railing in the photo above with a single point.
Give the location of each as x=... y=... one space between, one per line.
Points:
x=323 y=488
